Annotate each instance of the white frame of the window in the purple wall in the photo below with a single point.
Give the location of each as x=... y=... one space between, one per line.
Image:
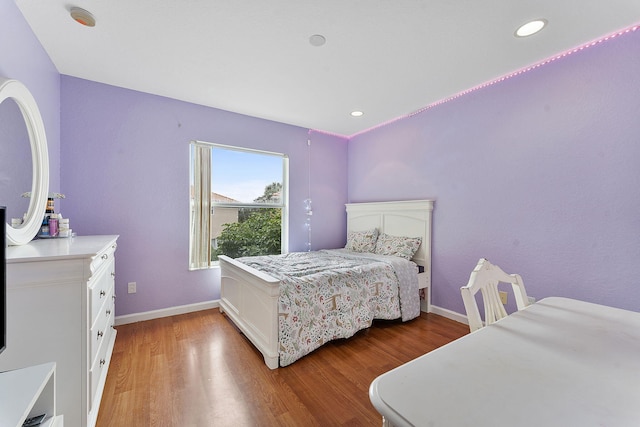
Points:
x=195 y=243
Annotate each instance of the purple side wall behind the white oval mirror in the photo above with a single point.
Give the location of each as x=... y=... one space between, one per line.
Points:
x=22 y=58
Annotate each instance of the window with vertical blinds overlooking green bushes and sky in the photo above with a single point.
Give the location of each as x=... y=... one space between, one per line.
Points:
x=238 y=201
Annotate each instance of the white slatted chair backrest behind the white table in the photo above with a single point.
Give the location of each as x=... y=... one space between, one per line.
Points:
x=485 y=278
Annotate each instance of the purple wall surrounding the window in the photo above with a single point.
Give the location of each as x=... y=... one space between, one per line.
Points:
x=125 y=170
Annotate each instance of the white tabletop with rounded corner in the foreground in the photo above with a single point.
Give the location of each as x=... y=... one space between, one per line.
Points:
x=559 y=362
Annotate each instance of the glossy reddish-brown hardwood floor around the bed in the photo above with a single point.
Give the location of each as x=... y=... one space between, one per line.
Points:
x=197 y=369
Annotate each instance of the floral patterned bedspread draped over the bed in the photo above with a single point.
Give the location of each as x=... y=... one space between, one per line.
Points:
x=331 y=294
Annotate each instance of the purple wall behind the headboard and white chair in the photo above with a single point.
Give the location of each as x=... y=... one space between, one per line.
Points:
x=540 y=174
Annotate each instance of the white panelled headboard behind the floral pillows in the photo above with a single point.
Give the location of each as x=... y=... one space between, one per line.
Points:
x=407 y=218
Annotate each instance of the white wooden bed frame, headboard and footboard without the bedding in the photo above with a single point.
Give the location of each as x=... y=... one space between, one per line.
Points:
x=250 y=297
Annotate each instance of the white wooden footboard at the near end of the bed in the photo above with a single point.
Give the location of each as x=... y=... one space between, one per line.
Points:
x=250 y=298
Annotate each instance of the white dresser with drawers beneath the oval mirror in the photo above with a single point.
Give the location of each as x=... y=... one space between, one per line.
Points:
x=60 y=301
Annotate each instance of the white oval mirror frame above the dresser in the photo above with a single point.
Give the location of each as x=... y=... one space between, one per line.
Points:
x=40 y=159
